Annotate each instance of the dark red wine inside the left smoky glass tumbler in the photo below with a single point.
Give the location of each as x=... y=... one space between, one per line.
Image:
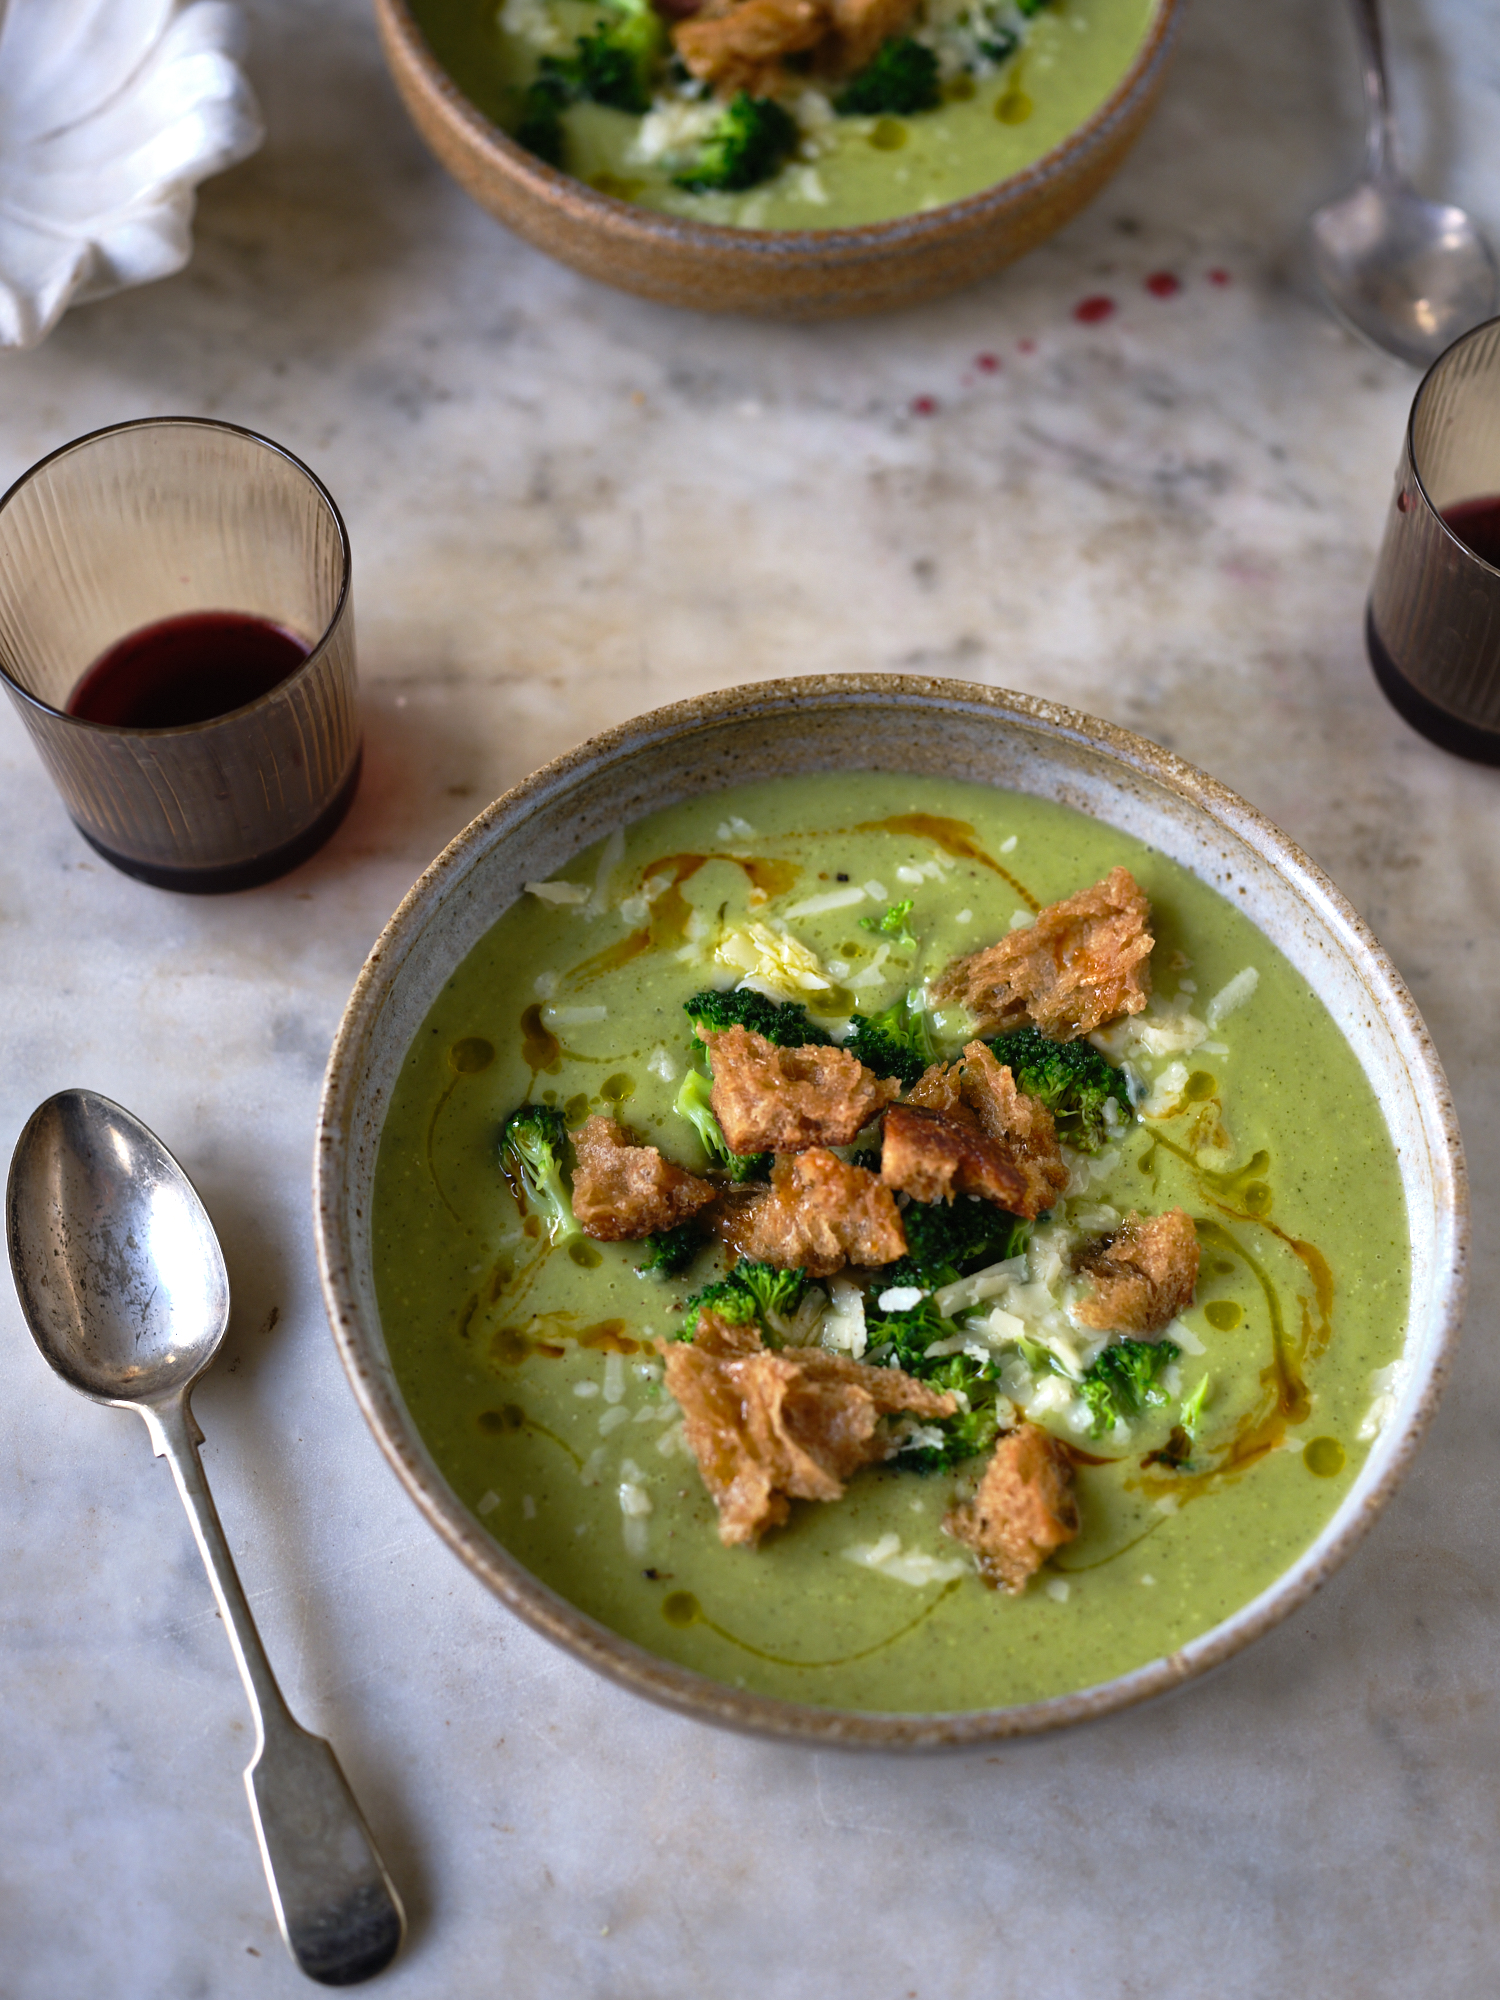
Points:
x=187 y=671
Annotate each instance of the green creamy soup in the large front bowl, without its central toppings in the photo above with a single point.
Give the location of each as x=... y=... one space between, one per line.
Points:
x=533 y=1373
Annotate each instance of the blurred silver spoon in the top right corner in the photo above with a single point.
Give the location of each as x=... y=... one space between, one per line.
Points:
x=1405 y=273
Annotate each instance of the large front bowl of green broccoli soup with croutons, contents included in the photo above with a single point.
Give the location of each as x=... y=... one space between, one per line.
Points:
x=881 y=1211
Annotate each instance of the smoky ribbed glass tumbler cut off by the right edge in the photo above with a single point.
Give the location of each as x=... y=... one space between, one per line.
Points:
x=1433 y=627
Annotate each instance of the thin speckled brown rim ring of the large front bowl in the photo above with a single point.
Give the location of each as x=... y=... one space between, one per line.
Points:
x=697 y=1695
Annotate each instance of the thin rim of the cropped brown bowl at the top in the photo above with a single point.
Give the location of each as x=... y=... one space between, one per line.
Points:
x=553 y=187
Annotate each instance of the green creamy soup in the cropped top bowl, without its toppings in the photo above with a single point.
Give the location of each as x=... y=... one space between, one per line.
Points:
x=1013 y=83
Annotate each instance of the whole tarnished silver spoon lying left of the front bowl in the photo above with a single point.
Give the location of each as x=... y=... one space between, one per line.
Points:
x=125 y=1291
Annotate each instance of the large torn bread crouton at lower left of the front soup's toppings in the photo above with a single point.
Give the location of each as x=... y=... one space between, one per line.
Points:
x=769 y=1429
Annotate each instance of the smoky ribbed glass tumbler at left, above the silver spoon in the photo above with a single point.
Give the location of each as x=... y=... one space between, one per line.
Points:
x=161 y=521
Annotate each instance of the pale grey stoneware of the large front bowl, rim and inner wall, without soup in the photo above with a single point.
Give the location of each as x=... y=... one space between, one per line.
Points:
x=907 y=725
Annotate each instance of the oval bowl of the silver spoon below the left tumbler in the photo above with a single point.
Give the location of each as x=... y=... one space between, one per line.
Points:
x=119 y=1271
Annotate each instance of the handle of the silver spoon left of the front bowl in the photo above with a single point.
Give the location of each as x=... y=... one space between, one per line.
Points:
x=335 y=1903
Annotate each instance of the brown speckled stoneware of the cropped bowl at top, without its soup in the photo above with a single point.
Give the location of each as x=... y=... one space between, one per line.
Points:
x=805 y=275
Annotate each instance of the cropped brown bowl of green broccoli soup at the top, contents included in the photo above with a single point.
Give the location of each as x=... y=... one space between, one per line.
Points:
x=791 y=157
